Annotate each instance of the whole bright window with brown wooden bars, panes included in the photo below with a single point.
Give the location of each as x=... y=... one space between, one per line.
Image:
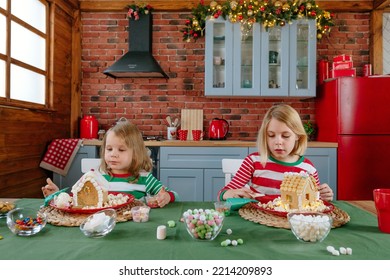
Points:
x=23 y=53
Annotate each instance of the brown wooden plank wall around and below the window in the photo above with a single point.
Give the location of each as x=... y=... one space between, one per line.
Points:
x=25 y=134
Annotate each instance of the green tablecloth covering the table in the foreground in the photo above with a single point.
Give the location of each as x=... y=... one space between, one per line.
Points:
x=132 y=240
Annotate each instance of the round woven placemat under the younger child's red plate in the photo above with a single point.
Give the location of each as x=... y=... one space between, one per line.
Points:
x=58 y=217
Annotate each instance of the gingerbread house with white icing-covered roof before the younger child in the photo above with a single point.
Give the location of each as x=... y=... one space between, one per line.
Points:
x=90 y=191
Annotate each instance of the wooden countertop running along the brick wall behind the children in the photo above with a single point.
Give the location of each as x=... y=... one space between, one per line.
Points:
x=208 y=143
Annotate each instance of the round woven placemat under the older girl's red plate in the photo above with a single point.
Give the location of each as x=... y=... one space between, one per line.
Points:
x=251 y=213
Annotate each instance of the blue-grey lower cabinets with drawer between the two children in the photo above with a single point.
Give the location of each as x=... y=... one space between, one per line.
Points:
x=196 y=173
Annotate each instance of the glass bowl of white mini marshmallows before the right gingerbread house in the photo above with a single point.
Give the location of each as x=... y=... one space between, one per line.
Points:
x=309 y=226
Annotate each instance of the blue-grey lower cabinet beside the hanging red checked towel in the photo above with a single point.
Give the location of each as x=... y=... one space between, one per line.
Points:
x=74 y=172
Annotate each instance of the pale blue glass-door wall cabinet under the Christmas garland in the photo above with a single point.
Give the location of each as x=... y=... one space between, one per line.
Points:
x=246 y=60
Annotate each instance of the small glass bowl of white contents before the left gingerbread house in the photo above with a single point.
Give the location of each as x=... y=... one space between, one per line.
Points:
x=99 y=224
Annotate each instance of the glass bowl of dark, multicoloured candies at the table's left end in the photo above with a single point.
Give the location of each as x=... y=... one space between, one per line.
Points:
x=25 y=221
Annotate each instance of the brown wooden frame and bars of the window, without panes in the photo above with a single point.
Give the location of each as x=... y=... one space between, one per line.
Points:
x=7 y=101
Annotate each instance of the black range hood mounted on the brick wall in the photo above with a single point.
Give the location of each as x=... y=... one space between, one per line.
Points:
x=138 y=62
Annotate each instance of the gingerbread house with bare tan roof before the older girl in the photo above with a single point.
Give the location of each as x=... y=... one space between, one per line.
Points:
x=298 y=190
